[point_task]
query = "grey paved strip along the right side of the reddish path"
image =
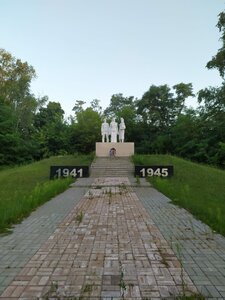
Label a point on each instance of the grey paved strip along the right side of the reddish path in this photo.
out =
(201, 250)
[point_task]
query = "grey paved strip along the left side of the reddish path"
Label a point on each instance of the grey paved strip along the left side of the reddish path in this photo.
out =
(18, 247)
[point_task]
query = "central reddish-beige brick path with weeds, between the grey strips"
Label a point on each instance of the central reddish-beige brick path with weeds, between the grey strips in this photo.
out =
(107, 246)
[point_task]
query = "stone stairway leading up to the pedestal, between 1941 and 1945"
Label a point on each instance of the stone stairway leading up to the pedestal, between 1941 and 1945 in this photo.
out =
(112, 167)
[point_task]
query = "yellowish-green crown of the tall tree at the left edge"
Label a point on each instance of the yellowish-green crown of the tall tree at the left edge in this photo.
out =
(15, 79)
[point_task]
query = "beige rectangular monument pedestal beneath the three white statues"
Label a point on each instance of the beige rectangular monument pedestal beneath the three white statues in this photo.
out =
(122, 149)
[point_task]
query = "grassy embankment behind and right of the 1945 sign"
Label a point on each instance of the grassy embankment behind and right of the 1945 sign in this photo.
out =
(198, 188)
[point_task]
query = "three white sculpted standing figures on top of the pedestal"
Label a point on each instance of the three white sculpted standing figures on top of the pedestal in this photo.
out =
(113, 130)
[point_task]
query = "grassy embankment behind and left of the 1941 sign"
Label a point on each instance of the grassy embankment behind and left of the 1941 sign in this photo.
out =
(24, 188)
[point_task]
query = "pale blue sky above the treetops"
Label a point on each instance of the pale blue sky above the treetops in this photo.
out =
(92, 49)
